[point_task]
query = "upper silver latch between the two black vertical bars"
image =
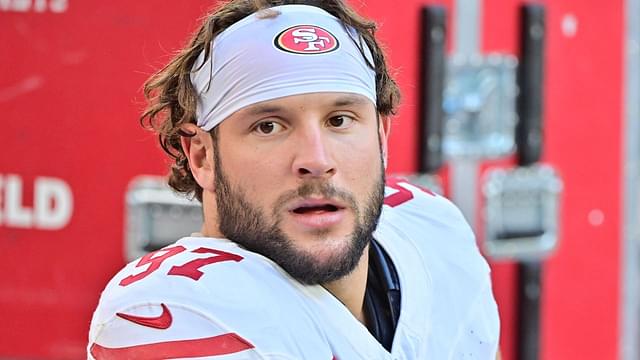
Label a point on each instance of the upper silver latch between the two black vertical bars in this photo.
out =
(479, 106)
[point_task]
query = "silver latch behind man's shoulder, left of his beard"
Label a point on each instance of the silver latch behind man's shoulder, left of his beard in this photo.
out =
(156, 216)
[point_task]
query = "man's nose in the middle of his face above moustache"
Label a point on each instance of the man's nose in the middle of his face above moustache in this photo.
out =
(313, 158)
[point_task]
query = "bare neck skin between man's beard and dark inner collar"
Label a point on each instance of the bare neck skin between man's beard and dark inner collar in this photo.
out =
(351, 288)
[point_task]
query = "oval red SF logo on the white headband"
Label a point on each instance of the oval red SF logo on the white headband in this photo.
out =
(306, 39)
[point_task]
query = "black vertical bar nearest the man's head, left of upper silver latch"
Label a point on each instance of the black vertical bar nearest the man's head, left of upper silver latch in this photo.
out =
(432, 86)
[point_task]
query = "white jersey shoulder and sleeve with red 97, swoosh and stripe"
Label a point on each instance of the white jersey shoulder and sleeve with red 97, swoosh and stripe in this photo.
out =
(204, 300)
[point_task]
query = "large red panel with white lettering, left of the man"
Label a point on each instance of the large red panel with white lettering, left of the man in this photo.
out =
(70, 99)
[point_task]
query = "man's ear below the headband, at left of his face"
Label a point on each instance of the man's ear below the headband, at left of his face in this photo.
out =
(199, 152)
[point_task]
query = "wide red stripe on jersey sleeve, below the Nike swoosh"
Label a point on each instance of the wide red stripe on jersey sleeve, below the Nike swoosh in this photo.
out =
(213, 346)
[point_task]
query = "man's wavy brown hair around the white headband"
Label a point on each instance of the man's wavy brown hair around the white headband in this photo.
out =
(172, 98)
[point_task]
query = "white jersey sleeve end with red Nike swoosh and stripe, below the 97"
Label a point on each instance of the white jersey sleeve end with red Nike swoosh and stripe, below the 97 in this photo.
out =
(166, 331)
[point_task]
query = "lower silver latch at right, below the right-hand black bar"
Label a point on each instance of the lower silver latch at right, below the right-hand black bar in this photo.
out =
(521, 214)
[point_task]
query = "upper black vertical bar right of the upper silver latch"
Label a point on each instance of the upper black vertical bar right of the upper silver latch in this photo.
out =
(530, 81)
